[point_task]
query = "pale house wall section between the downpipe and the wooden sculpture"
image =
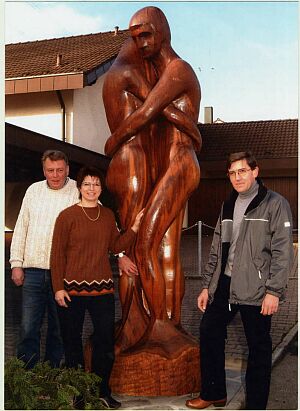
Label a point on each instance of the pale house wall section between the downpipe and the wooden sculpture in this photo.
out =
(90, 128)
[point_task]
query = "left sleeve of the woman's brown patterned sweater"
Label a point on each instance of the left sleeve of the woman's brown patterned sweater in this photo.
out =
(59, 250)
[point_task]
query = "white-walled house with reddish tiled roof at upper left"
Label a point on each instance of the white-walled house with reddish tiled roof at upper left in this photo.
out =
(54, 87)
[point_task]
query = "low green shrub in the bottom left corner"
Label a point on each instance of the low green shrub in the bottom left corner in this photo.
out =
(46, 388)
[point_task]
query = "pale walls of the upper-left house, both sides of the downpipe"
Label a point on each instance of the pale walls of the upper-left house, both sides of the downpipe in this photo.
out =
(86, 124)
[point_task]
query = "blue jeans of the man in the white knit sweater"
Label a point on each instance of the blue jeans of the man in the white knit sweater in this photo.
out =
(37, 296)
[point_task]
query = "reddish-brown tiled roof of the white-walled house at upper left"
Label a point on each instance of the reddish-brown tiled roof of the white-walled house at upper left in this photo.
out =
(79, 54)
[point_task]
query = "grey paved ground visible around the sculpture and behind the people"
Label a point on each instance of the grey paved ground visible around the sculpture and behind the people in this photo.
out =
(236, 348)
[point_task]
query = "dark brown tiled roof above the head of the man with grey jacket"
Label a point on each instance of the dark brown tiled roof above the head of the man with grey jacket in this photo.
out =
(266, 139)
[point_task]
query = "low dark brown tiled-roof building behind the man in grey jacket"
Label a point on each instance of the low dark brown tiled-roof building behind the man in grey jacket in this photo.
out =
(275, 145)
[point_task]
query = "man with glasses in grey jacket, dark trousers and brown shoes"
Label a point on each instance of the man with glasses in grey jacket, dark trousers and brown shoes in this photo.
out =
(249, 262)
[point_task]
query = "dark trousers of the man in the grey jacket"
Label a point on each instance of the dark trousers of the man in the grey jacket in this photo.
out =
(213, 332)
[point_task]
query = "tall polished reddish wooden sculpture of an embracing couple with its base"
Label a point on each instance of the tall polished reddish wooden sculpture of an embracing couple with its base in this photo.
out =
(152, 99)
